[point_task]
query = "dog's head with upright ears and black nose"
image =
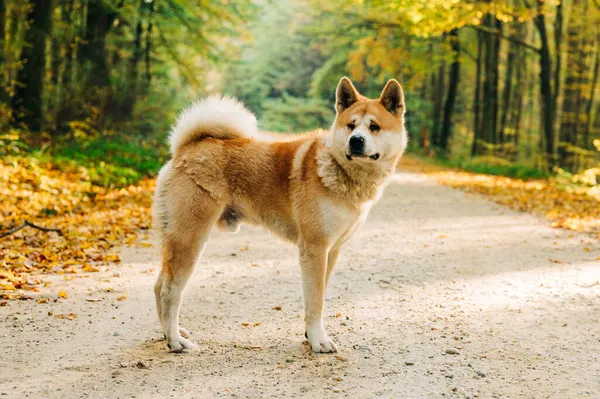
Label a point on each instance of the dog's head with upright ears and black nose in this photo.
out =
(368, 131)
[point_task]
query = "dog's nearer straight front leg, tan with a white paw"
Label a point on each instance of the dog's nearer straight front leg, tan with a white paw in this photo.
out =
(313, 261)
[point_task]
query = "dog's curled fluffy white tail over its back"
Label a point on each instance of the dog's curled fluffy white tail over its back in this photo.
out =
(216, 116)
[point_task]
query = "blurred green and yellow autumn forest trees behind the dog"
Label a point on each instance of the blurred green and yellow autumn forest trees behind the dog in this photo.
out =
(502, 83)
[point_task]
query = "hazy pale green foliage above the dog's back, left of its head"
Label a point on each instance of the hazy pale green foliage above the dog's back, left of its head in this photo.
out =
(273, 76)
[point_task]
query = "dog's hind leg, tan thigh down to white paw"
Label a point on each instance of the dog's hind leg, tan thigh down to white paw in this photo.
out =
(182, 248)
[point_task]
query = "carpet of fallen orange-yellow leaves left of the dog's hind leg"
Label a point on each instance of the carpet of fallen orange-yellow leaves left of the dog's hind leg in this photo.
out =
(93, 221)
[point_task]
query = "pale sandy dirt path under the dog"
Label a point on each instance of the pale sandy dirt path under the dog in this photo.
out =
(433, 270)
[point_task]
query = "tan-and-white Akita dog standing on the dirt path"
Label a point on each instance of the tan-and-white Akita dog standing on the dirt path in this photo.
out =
(314, 190)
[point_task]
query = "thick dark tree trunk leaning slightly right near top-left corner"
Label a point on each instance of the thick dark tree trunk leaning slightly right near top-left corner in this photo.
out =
(27, 101)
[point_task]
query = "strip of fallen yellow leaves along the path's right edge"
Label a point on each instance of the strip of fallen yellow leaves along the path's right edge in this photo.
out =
(578, 211)
